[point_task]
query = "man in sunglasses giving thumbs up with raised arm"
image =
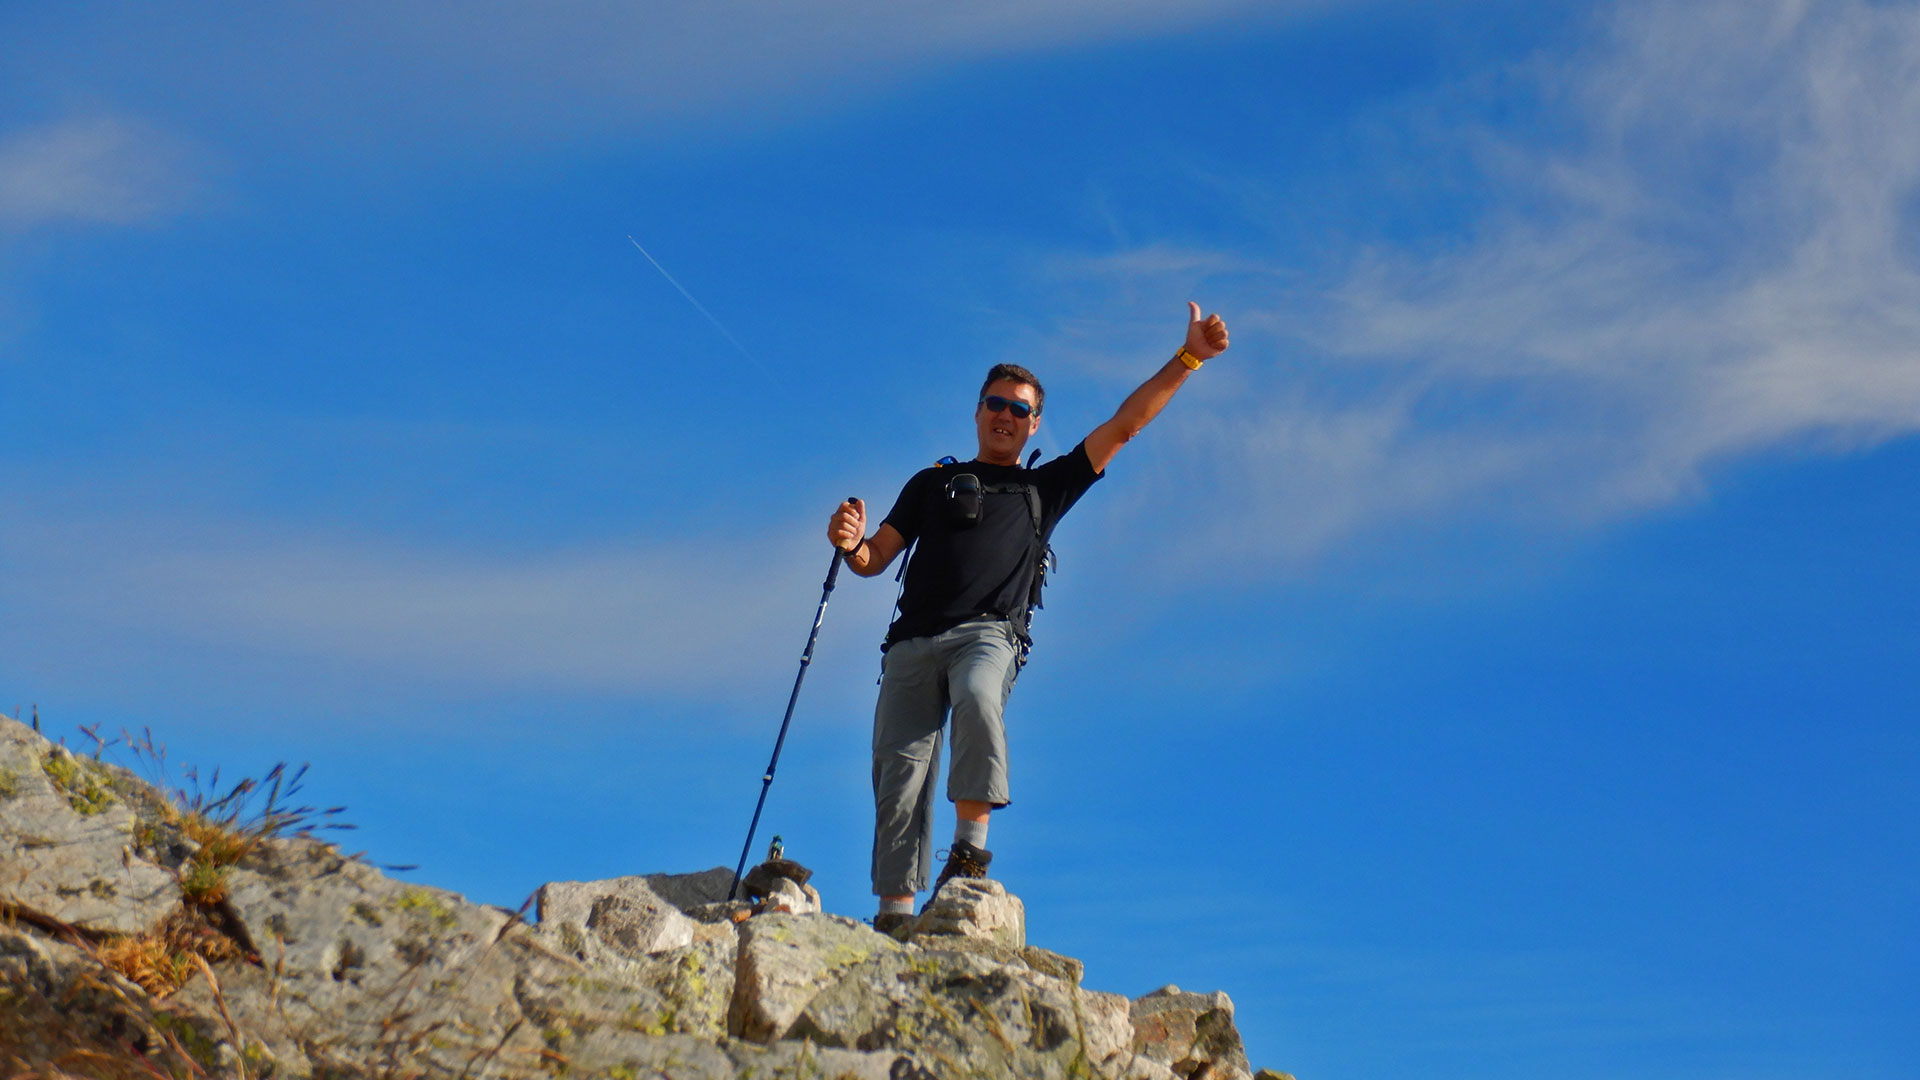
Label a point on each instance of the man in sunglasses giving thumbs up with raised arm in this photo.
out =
(961, 633)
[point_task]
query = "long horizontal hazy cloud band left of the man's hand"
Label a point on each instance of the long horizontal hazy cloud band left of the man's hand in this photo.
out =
(702, 618)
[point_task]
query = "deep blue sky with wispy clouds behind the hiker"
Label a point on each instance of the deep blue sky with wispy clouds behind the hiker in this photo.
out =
(1499, 664)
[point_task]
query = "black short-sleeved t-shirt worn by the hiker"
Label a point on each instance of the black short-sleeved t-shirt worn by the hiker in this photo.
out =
(961, 574)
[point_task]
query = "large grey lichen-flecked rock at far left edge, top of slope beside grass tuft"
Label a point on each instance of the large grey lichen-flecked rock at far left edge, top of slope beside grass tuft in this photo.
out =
(68, 848)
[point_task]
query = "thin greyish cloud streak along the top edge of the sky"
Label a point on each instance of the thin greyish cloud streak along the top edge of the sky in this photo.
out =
(410, 72)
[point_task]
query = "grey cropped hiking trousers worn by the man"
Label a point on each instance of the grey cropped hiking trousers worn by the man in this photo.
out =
(969, 672)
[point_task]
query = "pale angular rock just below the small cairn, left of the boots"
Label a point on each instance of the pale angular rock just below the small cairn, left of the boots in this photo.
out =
(786, 960)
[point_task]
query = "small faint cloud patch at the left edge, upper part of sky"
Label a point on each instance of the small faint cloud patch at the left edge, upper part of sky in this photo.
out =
(99, 170)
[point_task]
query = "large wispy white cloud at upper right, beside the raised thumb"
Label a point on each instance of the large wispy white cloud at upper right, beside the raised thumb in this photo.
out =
(1712, 255)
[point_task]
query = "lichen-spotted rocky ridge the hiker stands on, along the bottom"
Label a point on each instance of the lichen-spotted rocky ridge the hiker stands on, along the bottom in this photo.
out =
(327, 968)
